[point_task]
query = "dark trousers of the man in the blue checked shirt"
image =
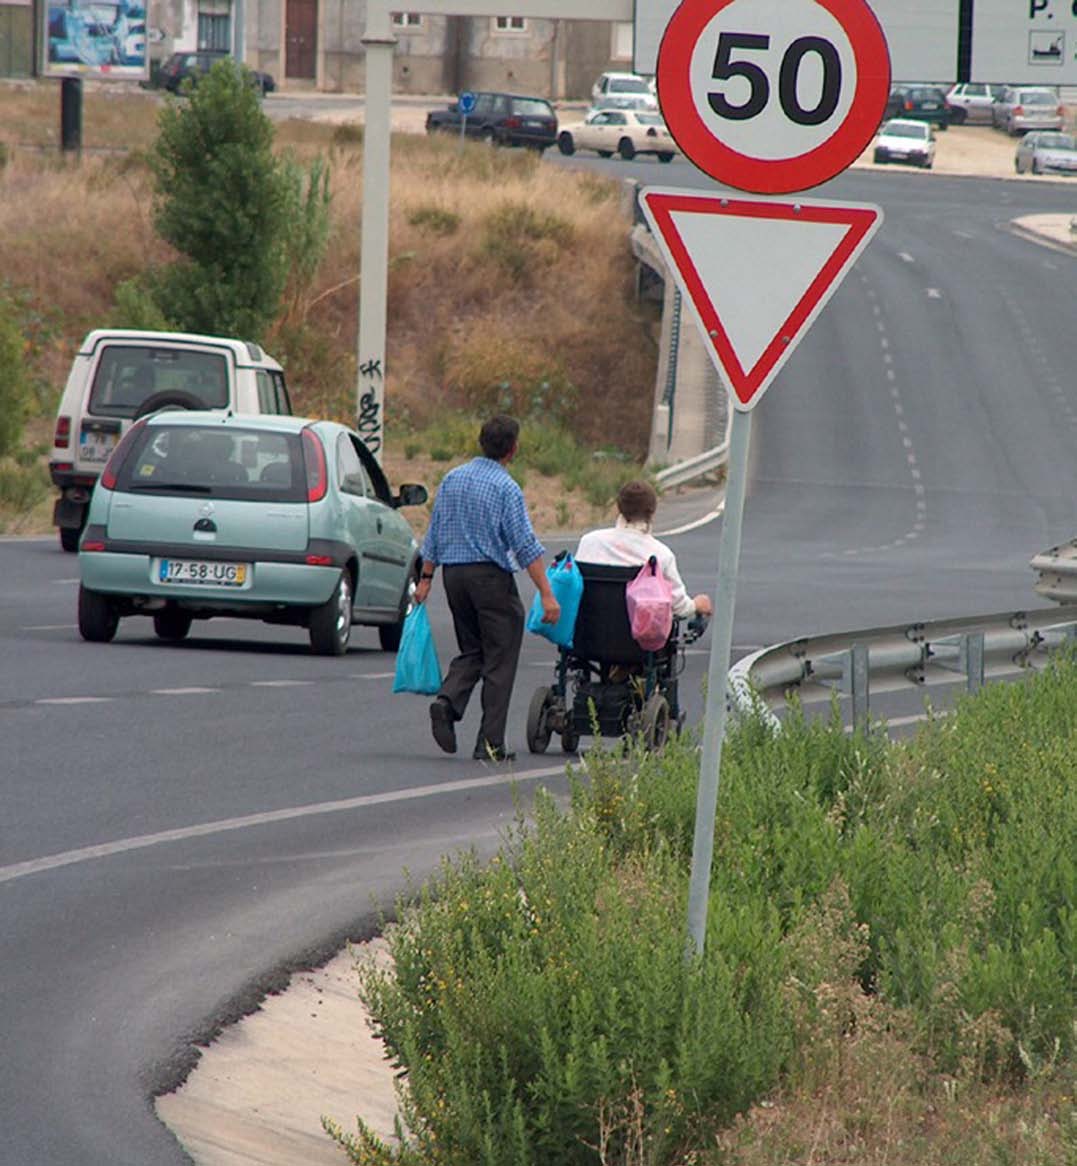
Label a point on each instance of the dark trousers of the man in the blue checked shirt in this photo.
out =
(489, 621)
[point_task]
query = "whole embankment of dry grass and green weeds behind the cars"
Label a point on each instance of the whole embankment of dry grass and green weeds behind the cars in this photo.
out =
(511, 286)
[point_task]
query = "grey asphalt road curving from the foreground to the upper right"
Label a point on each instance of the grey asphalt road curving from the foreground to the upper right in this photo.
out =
(184, 824)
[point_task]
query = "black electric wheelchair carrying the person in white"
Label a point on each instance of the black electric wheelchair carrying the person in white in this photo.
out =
(607, 682)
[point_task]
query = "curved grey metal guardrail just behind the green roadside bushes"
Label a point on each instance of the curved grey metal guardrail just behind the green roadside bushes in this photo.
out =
(857, 664)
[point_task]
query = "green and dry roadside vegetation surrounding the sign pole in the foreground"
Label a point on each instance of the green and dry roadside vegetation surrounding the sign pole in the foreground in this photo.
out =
(889, 974)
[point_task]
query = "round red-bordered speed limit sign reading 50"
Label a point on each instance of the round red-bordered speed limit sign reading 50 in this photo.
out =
(773, 96)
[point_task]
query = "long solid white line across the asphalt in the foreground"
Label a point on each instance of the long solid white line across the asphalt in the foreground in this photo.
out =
(223, 826)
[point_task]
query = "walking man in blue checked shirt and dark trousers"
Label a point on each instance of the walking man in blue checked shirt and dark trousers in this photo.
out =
(481, 535)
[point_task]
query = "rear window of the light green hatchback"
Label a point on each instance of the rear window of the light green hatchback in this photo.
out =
(216, 462)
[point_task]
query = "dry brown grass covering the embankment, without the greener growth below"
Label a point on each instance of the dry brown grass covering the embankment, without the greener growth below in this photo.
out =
(511, 283)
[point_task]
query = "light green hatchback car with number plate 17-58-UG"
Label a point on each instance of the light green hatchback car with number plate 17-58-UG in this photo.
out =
(272, 518)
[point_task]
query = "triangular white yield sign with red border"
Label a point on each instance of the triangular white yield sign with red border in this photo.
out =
(757, 272)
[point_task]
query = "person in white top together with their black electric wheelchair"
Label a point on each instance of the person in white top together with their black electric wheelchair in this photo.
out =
(606, 683)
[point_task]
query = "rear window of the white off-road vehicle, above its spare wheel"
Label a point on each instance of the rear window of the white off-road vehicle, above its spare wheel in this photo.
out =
(129, 375)
